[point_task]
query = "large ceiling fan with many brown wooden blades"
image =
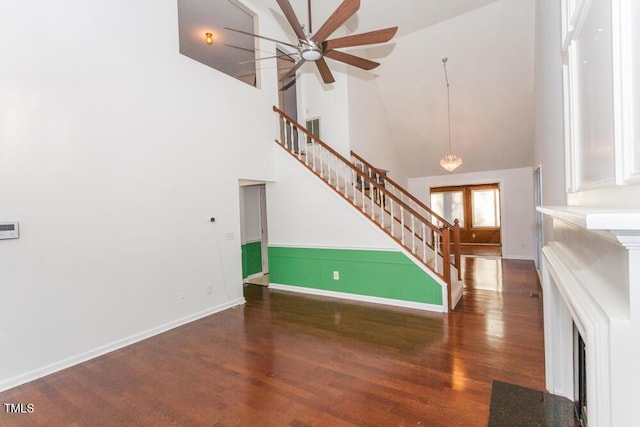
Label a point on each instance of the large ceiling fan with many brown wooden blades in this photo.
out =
(315, 47)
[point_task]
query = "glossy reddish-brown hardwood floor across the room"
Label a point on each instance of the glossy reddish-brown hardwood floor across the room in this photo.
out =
(286, 359)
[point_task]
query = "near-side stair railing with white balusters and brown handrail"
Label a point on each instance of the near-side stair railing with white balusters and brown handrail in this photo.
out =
(427, 242)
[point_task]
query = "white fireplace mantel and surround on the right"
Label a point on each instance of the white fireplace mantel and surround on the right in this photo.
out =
(590, 277)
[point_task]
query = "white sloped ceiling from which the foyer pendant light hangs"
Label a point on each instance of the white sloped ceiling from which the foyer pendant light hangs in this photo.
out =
(490, 69)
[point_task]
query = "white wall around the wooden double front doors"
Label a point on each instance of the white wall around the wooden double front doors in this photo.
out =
(516, 193)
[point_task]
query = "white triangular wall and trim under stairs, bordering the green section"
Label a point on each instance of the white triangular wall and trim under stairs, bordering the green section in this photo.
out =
(305, 212)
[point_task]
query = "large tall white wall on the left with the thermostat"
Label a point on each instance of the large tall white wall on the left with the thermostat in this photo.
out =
(114, 153)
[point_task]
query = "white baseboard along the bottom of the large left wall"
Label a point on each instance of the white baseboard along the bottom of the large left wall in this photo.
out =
(115, 345)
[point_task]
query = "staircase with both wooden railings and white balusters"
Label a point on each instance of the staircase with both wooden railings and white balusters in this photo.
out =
(427, 237)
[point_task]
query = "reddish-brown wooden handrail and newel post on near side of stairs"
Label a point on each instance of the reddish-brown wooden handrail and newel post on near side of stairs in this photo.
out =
(443, 233)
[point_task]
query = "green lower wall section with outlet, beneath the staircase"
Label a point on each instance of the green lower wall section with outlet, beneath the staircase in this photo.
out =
(381, 274)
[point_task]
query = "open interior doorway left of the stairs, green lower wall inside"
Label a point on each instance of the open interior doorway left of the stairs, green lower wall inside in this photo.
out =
(254, 234)
